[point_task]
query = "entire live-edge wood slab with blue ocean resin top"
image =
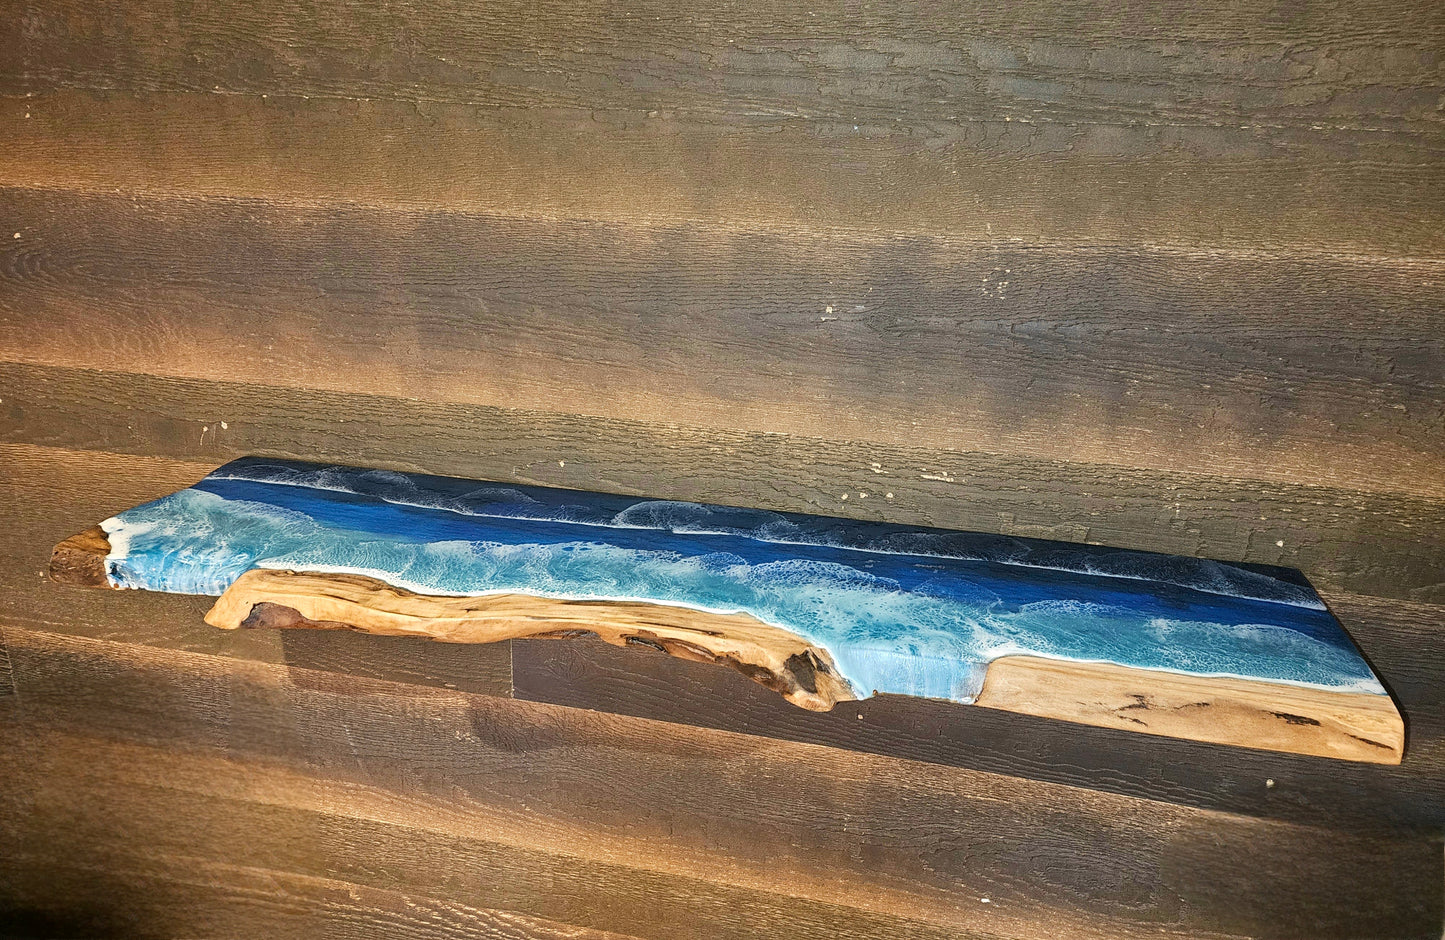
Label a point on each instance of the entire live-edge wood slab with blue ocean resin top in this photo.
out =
(820, 610)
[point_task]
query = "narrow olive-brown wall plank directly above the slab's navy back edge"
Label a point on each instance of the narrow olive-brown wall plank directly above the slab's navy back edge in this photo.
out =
(1388, 545)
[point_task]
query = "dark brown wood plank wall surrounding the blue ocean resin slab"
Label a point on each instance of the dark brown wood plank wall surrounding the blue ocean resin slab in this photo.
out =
(1165, 277)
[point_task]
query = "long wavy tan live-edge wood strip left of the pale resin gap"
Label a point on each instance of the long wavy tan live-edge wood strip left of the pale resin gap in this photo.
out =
(803, 674)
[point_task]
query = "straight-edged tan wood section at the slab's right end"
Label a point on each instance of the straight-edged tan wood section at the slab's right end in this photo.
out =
(1272, 717)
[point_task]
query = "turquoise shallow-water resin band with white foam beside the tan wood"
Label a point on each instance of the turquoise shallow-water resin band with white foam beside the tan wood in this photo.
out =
(882, 637)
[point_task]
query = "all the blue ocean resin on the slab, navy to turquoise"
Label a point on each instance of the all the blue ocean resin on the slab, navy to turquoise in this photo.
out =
(901, 609)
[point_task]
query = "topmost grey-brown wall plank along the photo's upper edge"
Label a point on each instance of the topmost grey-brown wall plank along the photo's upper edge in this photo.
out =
(1369, 66)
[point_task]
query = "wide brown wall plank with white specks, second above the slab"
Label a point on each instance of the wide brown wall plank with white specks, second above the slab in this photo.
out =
(1303, 367)
